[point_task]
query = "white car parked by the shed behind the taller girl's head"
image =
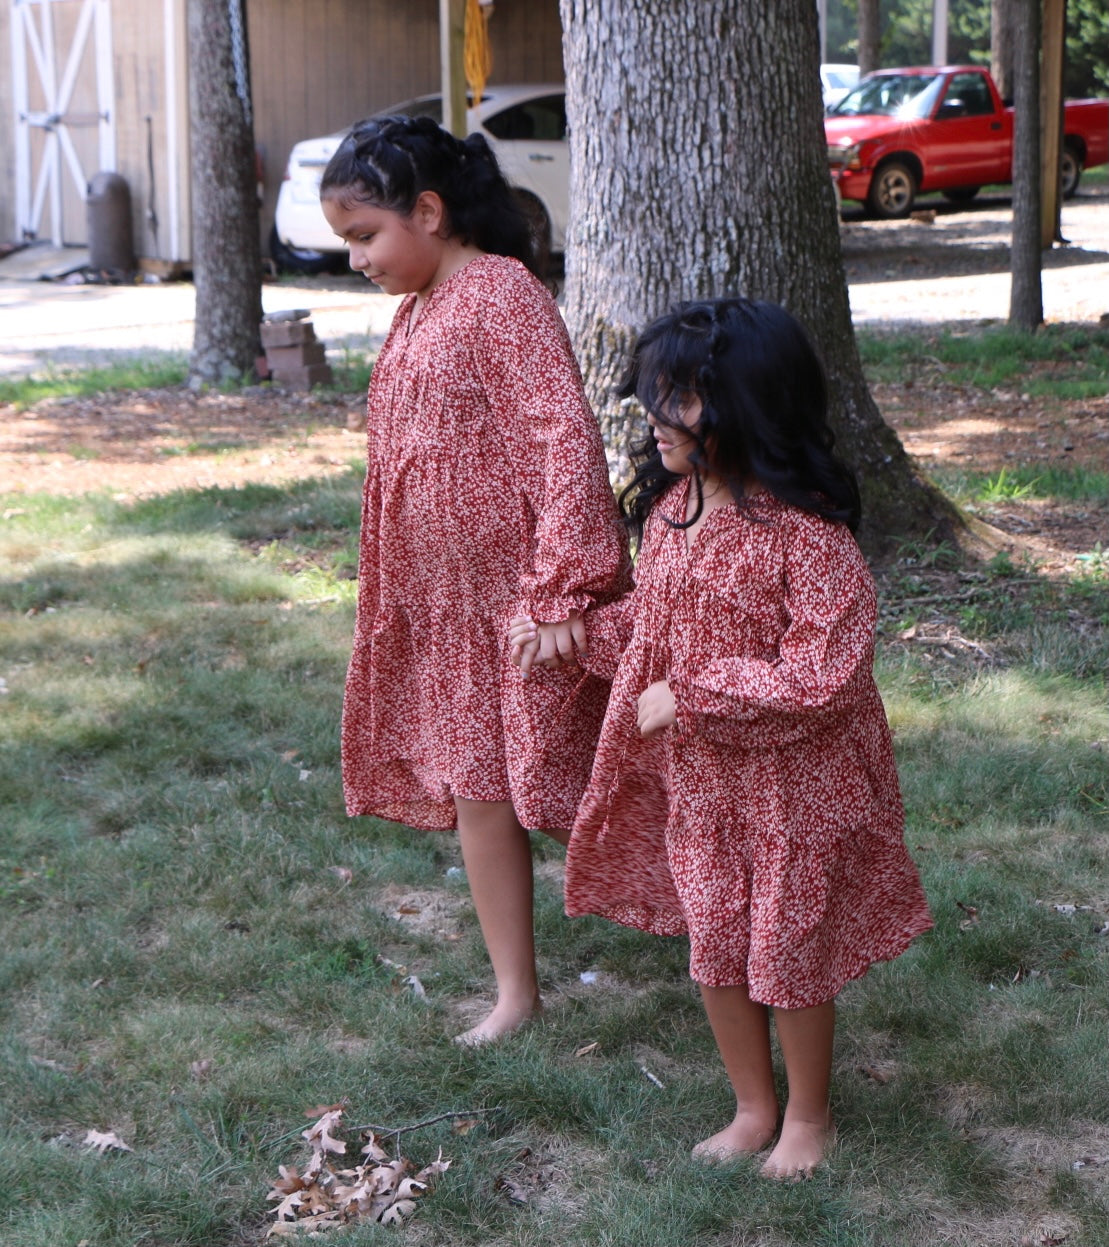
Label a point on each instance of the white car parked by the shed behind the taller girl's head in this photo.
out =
(526, 128)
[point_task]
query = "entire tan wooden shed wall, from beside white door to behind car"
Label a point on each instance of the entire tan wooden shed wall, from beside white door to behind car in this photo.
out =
(316, 67)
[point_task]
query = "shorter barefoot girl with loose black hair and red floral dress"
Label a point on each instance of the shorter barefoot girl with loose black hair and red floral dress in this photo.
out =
(745, 790)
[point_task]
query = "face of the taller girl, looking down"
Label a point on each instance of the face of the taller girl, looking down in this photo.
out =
(400, 254)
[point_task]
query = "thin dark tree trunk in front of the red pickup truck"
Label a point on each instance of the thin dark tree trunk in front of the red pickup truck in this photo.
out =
(1026, 294)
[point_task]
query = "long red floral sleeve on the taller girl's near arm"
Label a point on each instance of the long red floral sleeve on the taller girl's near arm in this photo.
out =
(553, 441)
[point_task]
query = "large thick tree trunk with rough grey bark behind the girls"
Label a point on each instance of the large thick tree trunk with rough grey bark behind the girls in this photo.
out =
(699, 169)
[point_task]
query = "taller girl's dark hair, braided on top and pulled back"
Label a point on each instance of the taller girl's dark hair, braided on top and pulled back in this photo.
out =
(390, 161)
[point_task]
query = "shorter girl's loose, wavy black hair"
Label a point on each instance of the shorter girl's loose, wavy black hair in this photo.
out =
(764, 408)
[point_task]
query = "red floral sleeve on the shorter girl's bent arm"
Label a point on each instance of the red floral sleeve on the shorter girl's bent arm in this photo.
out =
(825, 659)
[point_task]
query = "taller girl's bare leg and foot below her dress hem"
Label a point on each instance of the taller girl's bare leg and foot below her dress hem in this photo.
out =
(497, 855)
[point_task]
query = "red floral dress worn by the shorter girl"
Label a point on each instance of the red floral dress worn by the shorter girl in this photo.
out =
(768, 824)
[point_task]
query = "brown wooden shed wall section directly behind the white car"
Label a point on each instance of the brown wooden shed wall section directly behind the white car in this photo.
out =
(320, 65)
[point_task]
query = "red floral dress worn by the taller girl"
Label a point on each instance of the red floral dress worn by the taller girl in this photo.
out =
(487, 496)
